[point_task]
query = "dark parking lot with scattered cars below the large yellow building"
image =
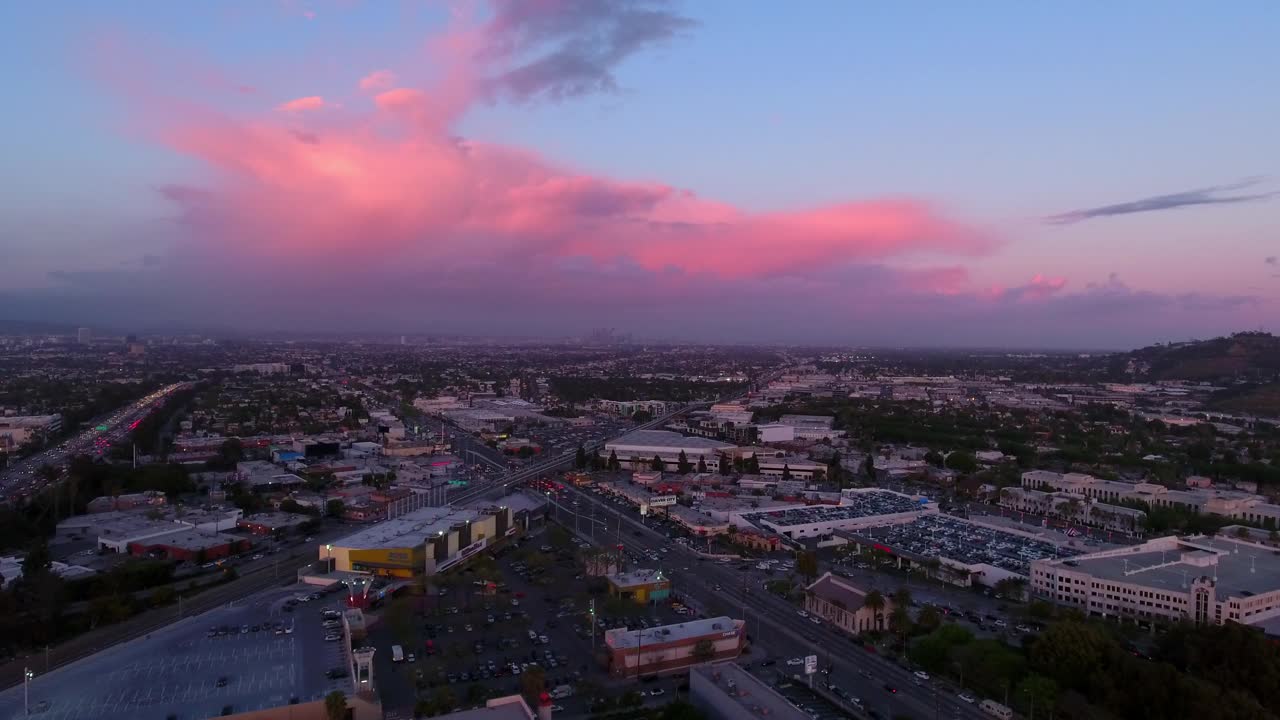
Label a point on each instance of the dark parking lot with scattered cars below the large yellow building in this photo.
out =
(484, 630)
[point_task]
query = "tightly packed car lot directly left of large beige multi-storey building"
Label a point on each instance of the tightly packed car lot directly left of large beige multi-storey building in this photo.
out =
(934, 536)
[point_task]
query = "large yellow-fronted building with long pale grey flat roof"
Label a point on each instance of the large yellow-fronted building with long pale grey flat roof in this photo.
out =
(424, 541)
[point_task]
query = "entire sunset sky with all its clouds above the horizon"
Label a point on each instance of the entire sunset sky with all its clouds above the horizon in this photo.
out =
(1018, 175)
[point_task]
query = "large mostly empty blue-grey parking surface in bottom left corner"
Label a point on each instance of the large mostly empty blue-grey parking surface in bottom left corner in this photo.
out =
(250, 657)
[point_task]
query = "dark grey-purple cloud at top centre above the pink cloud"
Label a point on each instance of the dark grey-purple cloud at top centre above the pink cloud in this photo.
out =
(572, 48)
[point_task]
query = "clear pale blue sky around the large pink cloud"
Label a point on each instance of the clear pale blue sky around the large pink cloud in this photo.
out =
(1000, 113)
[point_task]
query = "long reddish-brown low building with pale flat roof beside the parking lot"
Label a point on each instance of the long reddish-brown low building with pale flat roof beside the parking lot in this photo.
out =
(668, 649)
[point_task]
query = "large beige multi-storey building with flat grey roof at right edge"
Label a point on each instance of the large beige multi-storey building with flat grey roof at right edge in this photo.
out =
(1208, 581)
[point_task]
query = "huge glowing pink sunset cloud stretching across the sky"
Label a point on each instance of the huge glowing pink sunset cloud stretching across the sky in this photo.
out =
(395, 183)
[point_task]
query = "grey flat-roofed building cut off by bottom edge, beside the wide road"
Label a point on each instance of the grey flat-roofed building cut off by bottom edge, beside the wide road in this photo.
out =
(725, 691)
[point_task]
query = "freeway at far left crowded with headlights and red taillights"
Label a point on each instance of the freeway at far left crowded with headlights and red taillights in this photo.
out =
(24, 480)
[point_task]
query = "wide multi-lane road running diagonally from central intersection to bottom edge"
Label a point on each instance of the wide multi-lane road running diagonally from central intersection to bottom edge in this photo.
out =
(776, 625)
